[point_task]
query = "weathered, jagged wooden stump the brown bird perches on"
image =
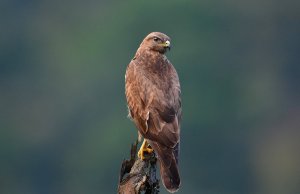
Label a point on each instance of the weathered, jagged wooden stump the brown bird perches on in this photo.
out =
(138, 175)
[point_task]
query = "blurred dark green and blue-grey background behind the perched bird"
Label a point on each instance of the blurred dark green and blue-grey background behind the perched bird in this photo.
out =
(63, 125)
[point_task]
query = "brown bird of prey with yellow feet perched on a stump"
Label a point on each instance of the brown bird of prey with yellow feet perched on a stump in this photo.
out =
(154, 104)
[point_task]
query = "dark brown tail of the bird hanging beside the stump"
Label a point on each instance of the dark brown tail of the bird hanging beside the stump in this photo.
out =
(168, 158)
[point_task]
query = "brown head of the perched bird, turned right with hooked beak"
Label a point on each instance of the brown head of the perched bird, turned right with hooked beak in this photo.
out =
(157, 41)
